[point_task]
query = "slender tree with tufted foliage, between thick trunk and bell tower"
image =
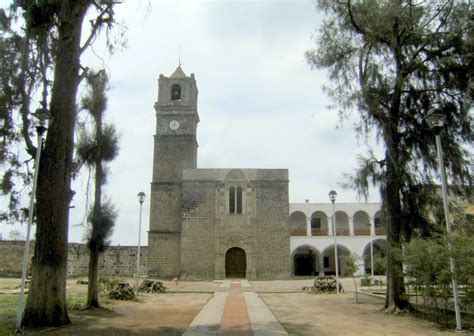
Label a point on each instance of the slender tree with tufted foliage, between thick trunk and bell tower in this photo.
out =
(95, 149)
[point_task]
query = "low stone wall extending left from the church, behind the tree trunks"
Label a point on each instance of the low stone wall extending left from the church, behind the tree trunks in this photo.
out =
(117, 260)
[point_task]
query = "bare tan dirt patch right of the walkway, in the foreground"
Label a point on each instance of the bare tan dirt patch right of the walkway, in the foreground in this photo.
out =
(328, 315)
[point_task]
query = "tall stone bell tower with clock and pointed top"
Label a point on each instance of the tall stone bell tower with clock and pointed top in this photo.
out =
(175, 149)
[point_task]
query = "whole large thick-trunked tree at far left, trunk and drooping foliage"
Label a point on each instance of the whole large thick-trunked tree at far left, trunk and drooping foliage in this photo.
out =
(47, 43)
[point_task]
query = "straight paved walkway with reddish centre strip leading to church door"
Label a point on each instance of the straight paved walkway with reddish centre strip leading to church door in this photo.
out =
(239, 311)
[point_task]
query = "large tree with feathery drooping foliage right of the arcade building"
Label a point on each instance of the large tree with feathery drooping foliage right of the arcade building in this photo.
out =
(394, 62)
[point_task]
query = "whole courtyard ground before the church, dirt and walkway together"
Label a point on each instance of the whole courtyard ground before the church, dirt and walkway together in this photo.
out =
(295, 311)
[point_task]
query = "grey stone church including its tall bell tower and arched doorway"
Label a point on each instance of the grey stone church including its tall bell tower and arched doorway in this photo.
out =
(210, 223)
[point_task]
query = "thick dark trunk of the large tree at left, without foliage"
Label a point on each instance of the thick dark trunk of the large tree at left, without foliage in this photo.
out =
(46, 303)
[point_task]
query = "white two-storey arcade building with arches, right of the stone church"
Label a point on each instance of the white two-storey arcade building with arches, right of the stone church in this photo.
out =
(359, 228)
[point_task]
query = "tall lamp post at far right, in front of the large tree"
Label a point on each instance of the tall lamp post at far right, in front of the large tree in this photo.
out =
(435, 121)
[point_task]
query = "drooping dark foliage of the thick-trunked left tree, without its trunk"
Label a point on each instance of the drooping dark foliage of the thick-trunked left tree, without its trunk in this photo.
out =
(29, 33)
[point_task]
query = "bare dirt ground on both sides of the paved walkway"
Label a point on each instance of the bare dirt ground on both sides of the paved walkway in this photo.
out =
(299, 313)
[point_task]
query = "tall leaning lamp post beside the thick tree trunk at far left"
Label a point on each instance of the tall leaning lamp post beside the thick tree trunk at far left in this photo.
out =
(40, 130)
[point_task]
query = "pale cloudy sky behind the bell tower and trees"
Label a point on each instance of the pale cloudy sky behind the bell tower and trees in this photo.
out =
(260, 103)
